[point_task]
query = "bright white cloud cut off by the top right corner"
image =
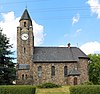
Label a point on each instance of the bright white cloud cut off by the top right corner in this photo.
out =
(95, 7)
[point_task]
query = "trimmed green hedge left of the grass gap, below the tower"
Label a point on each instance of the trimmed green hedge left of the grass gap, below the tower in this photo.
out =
(17, 90)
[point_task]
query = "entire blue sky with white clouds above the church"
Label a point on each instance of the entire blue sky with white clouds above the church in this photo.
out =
(55, 22)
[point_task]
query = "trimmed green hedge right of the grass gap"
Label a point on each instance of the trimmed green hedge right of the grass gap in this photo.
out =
(85, 89)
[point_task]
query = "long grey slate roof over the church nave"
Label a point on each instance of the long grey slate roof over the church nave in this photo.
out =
(58, 54)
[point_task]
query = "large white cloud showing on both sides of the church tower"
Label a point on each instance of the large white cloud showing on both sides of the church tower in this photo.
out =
(10, 23)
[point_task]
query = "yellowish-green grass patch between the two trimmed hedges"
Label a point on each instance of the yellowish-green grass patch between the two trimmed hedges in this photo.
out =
(61, 90)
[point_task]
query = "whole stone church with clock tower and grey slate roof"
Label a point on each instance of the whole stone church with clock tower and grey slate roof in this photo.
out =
(36, 65)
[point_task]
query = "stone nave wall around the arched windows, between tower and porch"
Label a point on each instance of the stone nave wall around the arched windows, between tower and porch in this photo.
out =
(46, 73)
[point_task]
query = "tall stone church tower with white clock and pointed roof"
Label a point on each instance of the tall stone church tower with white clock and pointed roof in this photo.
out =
(25, 48)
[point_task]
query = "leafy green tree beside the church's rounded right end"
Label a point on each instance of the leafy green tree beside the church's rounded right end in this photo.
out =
(94, 68)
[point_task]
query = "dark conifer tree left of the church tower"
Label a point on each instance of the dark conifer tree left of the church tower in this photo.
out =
(7, 70)
